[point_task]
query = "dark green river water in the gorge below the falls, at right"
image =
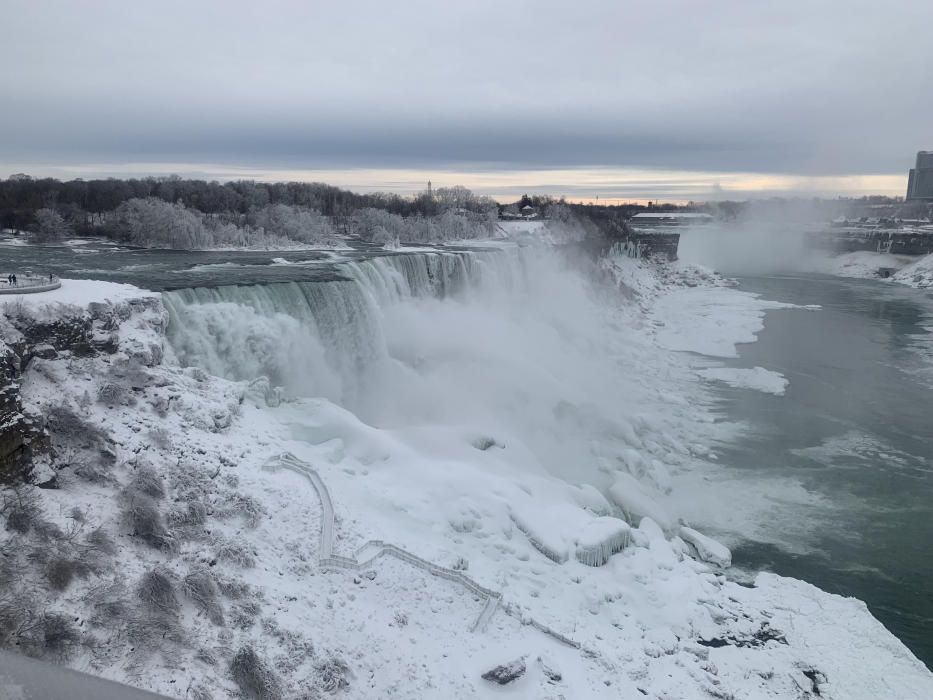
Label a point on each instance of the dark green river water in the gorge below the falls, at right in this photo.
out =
(854, 426)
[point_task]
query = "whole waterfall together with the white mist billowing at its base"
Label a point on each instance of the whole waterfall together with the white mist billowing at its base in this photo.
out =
(509, 343)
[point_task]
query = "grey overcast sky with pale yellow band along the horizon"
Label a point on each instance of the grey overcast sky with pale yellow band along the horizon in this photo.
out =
(671, 99)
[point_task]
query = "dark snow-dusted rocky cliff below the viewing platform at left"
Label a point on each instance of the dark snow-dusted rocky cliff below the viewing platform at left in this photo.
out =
(66, 332)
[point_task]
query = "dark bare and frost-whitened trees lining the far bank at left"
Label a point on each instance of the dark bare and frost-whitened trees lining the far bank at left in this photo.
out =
(182, 213)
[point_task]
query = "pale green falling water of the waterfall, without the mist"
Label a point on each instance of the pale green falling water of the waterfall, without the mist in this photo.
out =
(320, 338)
